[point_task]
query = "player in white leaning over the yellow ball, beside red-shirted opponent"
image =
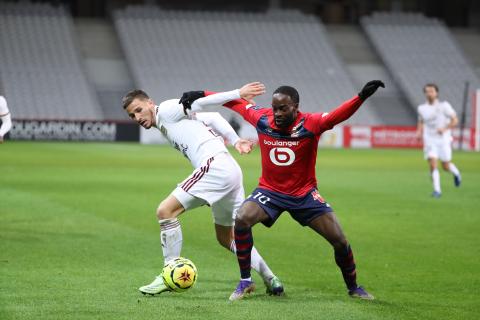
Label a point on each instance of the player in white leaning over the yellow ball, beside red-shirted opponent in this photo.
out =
(217, 178)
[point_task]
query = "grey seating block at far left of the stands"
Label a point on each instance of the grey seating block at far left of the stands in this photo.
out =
(40, 67)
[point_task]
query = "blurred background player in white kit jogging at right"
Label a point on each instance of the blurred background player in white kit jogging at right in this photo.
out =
(435, 120)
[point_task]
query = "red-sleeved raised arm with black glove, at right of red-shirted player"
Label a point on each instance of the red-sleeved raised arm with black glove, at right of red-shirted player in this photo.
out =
(344, 111)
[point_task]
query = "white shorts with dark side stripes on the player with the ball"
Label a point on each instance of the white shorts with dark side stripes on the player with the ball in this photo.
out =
(217, 183)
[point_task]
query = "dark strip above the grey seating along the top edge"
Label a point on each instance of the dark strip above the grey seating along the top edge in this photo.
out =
(462, 13)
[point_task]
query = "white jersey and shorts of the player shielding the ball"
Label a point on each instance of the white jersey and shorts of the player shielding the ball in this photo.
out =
(217, 178)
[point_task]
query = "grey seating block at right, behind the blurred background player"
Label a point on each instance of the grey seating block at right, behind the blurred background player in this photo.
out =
(418, 50)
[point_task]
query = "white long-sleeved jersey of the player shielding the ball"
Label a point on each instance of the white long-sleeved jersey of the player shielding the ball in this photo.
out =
(194, 134)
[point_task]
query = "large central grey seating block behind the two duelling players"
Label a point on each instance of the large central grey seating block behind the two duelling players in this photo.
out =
(172, 51)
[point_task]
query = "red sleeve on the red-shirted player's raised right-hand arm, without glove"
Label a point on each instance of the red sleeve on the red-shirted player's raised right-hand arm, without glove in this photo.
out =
(320, 122)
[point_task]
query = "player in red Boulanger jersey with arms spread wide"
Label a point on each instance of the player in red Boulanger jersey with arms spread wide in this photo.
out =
(288, 140)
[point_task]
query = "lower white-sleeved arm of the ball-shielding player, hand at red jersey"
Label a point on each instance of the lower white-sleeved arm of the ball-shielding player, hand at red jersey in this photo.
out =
(221, 126)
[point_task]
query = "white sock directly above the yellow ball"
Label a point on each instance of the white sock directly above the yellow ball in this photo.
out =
(171, 238)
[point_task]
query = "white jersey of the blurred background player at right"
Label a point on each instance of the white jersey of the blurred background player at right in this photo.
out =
(436, 116)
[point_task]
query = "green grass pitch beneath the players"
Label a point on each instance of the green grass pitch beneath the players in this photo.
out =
(78, 236)
